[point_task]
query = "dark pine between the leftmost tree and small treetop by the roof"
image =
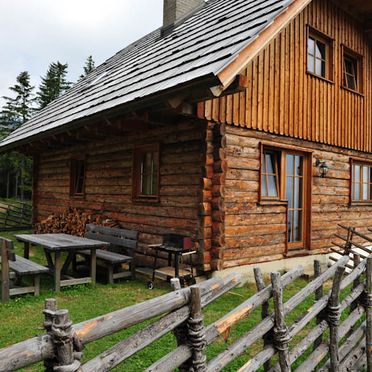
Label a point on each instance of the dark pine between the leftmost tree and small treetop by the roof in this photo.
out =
(54, 84)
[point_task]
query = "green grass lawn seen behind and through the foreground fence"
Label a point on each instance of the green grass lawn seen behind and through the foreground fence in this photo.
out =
(22, 318)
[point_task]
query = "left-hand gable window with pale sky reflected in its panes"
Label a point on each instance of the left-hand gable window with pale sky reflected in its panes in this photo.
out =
(319, 54)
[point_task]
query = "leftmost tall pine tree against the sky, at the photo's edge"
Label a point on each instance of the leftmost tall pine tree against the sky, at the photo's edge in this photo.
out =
(17, 110)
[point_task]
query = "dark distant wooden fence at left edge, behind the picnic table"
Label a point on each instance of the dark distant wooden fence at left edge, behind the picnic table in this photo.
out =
(15, 216)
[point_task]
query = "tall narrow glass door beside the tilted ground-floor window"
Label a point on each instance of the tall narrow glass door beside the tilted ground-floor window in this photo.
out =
(294, 190)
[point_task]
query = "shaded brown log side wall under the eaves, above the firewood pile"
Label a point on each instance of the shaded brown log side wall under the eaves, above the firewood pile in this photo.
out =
(109, 181)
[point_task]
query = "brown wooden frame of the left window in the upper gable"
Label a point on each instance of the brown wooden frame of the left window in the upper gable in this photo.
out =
(328, 41)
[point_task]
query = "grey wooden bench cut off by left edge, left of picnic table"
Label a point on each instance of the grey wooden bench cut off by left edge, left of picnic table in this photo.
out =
(13, 266)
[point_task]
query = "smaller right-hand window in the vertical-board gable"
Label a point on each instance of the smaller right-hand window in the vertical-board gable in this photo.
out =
(352, 71)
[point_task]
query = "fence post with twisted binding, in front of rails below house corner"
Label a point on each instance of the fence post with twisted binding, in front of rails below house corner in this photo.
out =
(196, 332)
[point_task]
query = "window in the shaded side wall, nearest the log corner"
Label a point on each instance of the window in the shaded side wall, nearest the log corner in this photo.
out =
(146, 173)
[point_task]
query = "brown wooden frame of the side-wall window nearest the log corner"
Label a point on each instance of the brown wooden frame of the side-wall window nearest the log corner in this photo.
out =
(138, 152)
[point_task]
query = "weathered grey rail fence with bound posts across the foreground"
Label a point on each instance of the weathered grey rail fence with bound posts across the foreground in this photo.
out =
(329, 344)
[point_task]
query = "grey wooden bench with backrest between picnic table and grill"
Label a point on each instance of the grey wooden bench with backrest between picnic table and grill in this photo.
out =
(112, 261)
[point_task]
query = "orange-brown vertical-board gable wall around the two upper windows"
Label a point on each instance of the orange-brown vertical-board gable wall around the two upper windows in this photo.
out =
(282, 98)
